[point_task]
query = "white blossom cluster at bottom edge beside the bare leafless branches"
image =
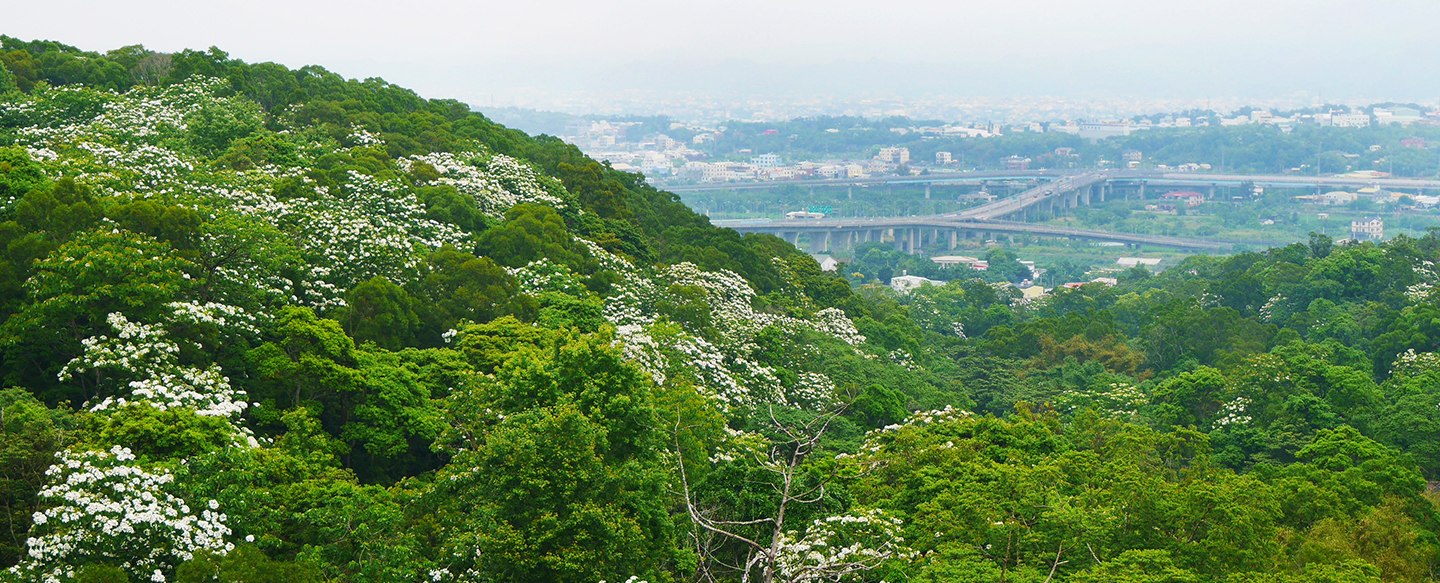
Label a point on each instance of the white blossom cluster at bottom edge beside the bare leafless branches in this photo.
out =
(840, 546)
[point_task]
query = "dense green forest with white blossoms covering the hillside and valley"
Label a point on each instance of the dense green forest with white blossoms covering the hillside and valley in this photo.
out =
(261, 325)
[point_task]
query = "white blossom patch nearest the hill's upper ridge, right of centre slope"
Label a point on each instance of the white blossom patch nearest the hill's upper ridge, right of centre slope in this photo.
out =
(496, 182)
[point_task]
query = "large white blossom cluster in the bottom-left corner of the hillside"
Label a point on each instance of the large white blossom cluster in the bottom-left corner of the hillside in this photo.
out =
(103, 507)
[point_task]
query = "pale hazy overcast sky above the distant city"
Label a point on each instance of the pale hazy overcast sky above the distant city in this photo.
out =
(483, 51)
